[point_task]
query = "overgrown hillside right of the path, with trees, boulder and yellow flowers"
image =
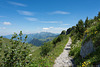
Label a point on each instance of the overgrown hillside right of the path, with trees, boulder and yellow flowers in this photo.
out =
(85, 46)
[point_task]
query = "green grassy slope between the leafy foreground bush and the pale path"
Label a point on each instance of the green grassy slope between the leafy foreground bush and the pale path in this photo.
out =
(51, 56)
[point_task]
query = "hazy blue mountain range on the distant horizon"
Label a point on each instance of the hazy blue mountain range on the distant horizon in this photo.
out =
(37, 38)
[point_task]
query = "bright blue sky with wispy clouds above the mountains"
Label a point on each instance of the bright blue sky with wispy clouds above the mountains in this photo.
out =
(34, 16)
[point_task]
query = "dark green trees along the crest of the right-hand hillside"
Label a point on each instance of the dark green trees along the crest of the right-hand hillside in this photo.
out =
(81, 27)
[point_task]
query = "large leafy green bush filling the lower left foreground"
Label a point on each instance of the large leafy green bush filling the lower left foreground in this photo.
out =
(15, 53)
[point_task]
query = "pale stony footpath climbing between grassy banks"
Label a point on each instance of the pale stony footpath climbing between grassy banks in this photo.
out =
(64, 60)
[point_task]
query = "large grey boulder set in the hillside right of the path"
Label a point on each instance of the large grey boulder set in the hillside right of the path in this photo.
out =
(86, 48)
